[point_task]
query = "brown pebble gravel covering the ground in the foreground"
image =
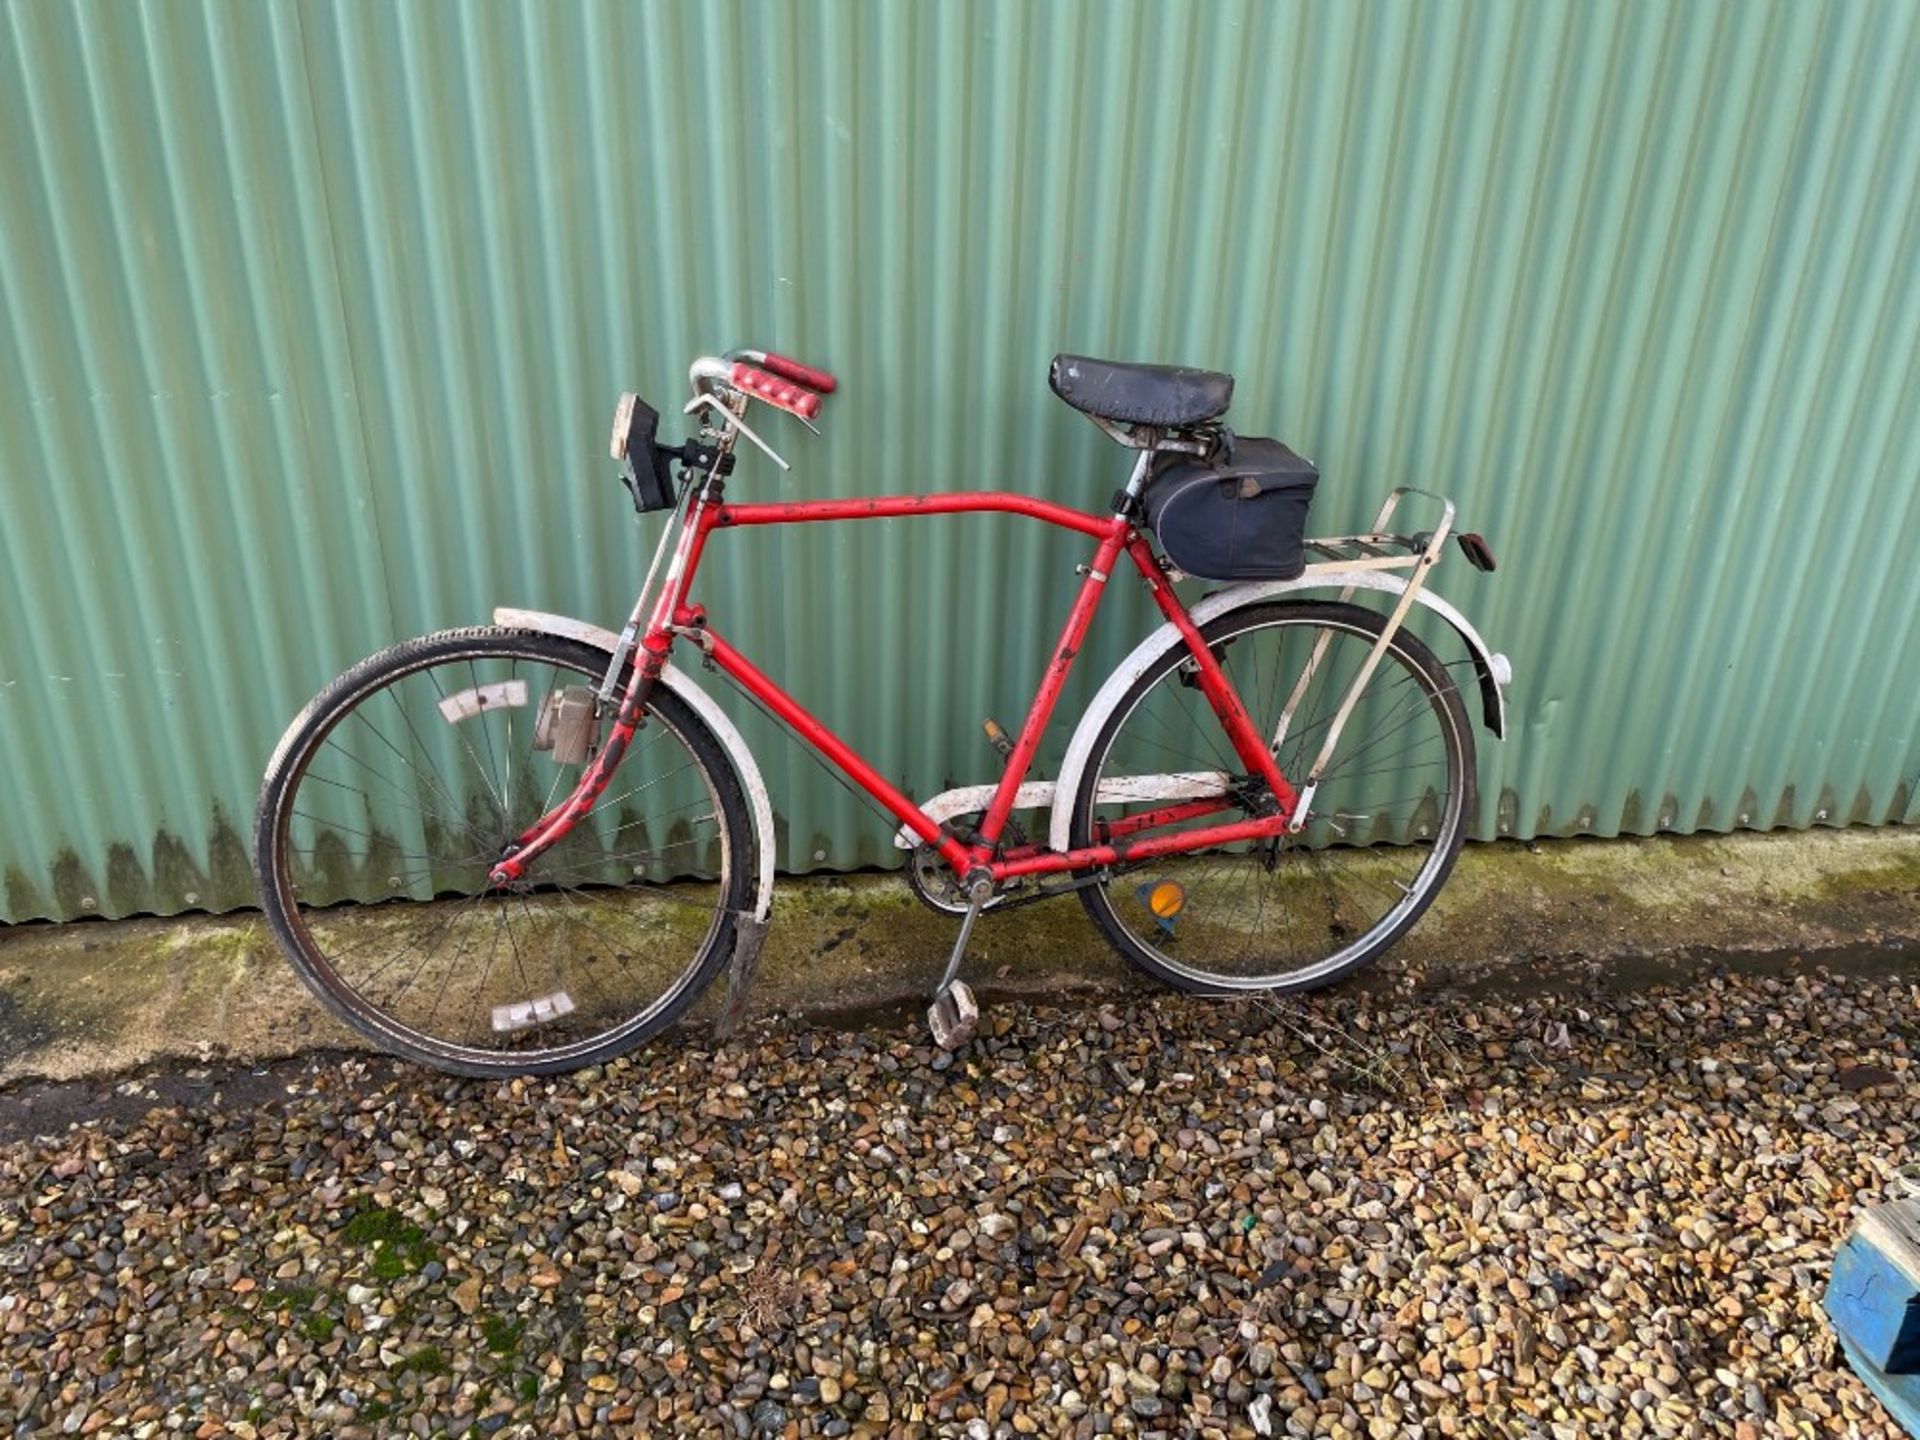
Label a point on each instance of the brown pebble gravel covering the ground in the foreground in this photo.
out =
(1353, 1216)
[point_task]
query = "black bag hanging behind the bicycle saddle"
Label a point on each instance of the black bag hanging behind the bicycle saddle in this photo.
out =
(1236, 519)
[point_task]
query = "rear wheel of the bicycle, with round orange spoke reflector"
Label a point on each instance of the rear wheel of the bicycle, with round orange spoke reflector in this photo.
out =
(1381, 836)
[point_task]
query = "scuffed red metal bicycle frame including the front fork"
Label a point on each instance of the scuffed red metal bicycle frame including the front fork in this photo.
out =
(673, 617)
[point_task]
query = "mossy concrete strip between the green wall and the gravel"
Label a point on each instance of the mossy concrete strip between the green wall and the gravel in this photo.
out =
(99, 997)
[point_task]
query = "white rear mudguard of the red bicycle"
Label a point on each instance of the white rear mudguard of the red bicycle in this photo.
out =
(1495, 669)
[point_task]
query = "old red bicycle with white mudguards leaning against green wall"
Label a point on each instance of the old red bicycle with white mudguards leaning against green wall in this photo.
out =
(441, 859)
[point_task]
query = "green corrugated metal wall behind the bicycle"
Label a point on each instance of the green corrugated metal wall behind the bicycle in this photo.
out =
(314, 318)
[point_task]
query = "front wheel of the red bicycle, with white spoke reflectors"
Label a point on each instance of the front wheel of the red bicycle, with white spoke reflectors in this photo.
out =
(395, 794)
